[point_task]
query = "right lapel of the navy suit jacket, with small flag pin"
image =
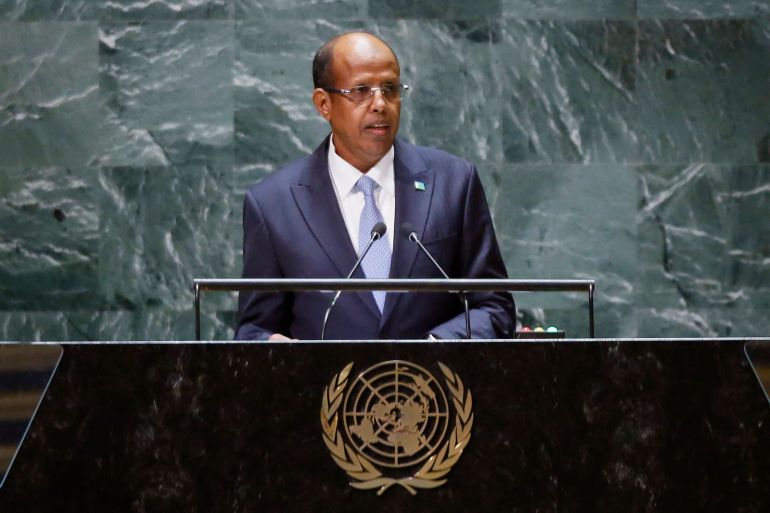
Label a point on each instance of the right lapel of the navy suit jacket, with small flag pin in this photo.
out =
(412, 206)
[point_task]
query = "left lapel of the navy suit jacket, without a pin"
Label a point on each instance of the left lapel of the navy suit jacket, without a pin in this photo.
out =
(317, 202)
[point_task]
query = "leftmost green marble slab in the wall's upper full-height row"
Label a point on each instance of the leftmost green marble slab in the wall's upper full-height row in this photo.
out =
(49, 87)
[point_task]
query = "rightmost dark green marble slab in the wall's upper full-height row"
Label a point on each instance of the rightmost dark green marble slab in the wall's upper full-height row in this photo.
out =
(702, 91)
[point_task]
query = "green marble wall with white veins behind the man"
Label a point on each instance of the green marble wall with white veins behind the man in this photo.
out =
(622, 140)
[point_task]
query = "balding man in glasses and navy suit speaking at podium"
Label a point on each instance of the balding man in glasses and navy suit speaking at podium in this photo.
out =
(313, 218)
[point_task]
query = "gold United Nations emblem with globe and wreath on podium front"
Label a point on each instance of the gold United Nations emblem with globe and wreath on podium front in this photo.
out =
(393, 425)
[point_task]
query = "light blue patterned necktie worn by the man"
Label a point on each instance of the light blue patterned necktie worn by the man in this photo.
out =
(376, 264)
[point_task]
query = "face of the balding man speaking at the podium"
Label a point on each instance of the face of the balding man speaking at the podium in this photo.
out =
(363, 132)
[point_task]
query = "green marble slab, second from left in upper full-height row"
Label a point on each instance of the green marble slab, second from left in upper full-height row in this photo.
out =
(167, 93)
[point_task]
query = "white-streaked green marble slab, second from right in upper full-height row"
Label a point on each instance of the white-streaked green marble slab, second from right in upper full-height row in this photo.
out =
(568, 91)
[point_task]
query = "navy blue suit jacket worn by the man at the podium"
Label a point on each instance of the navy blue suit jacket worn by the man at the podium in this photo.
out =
(293, 228)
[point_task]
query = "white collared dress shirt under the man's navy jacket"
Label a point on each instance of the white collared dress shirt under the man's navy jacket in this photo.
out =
(351, 200)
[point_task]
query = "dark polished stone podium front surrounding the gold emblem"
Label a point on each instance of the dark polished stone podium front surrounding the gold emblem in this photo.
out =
(566, 426)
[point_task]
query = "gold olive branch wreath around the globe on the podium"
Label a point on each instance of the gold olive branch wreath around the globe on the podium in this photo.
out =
(364, 474)
